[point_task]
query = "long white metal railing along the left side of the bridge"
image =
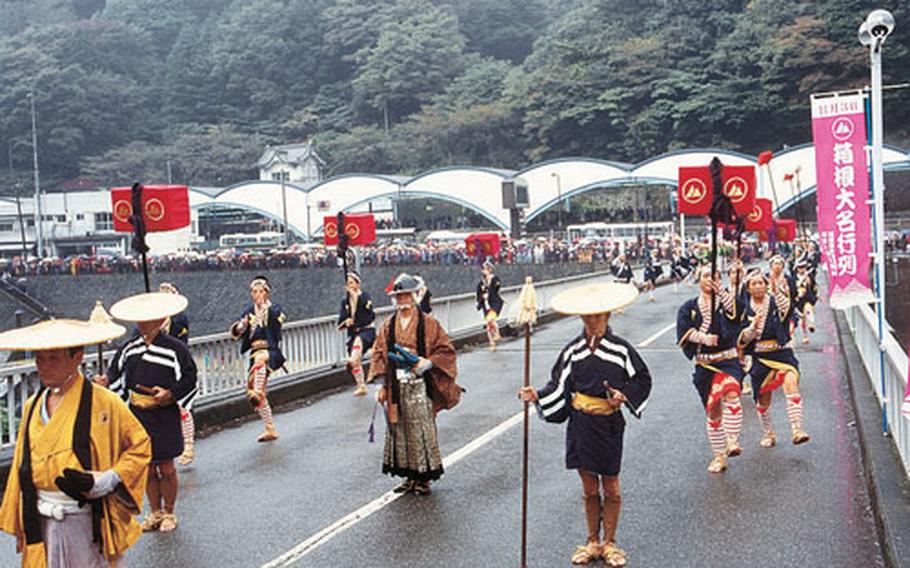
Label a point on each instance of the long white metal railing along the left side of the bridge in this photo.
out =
(309, 345)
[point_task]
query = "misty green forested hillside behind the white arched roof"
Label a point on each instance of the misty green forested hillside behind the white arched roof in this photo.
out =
(124, 86)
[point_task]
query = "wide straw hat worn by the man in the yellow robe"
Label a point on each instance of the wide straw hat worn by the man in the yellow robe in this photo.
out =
(59, 334)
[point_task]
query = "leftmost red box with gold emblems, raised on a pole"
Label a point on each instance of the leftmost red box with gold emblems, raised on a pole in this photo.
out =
(164, 207)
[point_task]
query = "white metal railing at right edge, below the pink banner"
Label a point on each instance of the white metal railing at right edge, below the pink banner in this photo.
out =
(864, 327)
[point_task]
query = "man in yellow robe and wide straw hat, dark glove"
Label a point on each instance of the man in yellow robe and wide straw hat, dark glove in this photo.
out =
(80, 464)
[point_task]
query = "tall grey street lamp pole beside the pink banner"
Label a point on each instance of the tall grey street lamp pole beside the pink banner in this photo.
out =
(872, 33)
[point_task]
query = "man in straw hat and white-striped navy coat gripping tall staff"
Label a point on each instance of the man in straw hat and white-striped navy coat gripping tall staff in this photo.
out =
(594, 375)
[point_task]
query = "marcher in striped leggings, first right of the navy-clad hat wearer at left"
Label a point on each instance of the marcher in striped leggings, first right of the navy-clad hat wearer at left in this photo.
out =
(259, 332)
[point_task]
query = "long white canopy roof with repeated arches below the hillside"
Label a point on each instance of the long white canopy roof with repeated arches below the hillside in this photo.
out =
(479, 189)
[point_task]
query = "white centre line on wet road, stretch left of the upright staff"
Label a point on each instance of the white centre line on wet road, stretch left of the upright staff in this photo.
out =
(346, 522)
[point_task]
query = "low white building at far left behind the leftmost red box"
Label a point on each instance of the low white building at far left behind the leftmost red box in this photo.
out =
(75, 222)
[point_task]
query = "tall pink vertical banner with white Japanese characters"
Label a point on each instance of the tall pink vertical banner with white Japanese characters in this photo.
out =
(842, 192)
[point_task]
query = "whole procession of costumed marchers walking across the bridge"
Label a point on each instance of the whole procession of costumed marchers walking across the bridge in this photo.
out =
(81, 507)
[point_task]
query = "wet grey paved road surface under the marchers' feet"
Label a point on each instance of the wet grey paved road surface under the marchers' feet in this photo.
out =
(245, 504)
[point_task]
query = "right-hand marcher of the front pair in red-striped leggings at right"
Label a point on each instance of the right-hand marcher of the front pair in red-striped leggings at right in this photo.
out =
(767, 340)
